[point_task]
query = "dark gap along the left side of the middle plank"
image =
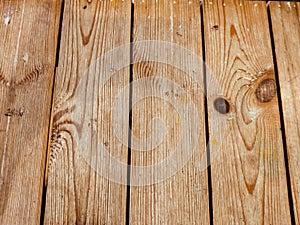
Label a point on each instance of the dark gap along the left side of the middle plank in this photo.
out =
(130, 118)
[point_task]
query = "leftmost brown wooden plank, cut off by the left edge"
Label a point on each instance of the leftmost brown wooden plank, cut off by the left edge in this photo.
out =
(28, 34)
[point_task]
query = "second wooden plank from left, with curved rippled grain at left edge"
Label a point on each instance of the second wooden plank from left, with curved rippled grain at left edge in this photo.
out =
(80, 189)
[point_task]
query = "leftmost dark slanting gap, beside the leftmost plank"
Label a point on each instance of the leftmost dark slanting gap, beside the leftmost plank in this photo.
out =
(44, 194)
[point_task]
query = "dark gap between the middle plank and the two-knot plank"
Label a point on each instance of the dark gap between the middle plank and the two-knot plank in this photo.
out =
(209, 181)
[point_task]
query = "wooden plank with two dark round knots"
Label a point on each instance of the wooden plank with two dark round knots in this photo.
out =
(248, 173)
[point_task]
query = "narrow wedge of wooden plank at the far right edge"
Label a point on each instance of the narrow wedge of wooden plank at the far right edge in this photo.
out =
(286, 28)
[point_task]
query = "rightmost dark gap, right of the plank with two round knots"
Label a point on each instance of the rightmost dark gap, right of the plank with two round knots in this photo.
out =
(282, 125)
